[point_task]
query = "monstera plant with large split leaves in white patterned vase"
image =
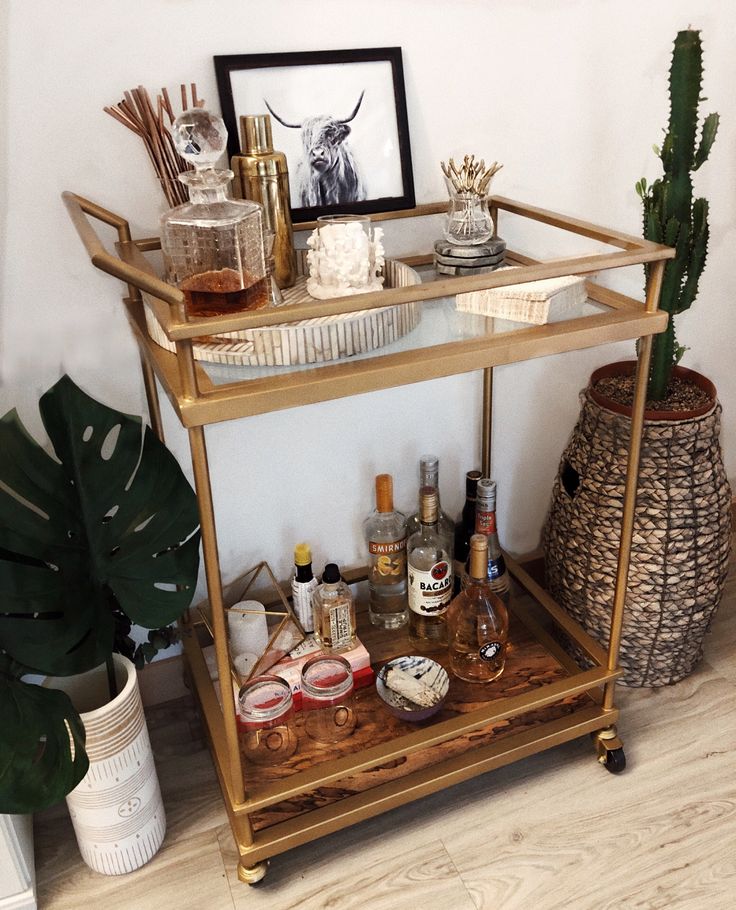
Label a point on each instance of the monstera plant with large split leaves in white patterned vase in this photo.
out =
(99, 537)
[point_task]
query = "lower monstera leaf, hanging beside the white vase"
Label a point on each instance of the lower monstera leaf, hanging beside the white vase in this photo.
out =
(42, 753)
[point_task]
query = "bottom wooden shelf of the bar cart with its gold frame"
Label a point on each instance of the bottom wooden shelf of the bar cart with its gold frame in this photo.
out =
(540, 701)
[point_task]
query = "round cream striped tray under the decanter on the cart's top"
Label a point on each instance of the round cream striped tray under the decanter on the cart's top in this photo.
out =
(311, 340)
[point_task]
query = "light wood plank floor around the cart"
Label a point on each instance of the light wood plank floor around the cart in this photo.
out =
(553, 832)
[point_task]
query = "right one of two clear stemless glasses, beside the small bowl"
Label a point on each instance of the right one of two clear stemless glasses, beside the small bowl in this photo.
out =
(327, 698)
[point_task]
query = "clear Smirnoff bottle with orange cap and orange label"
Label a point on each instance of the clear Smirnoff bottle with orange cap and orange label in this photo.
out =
(385, 536)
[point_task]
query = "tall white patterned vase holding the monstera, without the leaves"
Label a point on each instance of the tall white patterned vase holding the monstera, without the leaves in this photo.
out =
(116, 810)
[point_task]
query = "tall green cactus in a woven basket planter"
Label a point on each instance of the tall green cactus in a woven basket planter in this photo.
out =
(682, 524)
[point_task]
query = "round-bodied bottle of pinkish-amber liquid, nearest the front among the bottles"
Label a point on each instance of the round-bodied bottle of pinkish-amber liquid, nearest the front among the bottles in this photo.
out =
(477, 622)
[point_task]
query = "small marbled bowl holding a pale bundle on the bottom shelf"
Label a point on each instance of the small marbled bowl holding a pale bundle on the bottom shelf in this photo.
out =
(413, 688)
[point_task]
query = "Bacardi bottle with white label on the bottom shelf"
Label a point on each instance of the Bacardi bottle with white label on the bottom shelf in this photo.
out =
(430, 579)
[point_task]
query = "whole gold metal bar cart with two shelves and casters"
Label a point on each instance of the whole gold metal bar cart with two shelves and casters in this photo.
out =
(546, 698)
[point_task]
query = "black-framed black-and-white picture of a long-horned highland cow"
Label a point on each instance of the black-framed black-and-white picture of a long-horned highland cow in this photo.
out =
(339, 117)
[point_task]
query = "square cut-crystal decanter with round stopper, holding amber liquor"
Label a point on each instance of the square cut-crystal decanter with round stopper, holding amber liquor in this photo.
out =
(213, 245)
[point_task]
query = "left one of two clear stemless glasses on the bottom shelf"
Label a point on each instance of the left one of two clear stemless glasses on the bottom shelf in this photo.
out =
(266, 713)
